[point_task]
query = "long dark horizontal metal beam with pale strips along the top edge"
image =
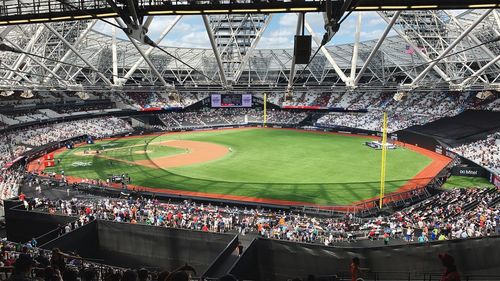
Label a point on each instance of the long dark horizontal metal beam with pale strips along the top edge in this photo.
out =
(36, 12)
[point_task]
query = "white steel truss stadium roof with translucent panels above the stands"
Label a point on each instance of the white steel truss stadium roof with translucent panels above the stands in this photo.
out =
(423, 50)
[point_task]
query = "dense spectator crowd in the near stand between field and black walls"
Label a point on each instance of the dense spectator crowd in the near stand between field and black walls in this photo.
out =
(455, 214)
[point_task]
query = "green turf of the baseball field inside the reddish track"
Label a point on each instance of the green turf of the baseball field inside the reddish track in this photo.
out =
(291, 165)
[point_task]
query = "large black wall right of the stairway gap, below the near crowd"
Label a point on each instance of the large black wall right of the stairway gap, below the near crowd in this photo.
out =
(268, 259)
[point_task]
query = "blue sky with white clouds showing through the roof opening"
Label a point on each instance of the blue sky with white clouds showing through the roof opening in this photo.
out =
(190, 30)
